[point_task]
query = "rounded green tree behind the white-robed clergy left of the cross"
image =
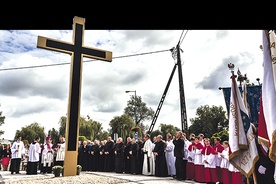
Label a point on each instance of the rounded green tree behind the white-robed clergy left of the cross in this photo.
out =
(30, 132)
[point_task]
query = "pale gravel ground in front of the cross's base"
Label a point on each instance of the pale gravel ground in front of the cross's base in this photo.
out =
(82, 178)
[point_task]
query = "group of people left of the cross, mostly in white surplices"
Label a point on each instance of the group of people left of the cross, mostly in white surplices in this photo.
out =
(32, 157)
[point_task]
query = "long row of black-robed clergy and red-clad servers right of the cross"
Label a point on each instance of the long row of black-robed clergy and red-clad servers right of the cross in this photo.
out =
(176, 156)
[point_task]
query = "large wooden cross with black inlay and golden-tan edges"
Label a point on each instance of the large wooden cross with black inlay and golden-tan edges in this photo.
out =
(77, 51)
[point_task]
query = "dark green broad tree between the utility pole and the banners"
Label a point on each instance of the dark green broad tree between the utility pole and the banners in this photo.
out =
(209, 120)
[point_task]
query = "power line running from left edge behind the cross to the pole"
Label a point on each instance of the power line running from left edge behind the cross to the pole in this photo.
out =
(38, 66)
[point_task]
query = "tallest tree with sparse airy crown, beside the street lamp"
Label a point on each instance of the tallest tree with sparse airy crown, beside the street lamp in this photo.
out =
(138, 110)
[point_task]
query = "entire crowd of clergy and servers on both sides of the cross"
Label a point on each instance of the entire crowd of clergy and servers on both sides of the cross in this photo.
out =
(176, 156)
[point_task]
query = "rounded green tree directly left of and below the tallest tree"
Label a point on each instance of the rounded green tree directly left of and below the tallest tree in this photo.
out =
(122, 126)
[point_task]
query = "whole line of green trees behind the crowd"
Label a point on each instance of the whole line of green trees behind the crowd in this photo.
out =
(212, 121)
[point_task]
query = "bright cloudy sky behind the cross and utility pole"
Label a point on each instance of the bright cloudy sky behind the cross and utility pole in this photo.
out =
(34, 82)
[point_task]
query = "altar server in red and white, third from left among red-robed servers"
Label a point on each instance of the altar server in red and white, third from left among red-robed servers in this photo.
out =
(209, 167)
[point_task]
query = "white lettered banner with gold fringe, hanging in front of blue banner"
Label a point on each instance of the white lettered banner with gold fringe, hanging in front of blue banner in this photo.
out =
(242, 141)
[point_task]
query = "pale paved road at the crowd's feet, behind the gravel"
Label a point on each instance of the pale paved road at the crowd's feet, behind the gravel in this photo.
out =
(132, 179)
